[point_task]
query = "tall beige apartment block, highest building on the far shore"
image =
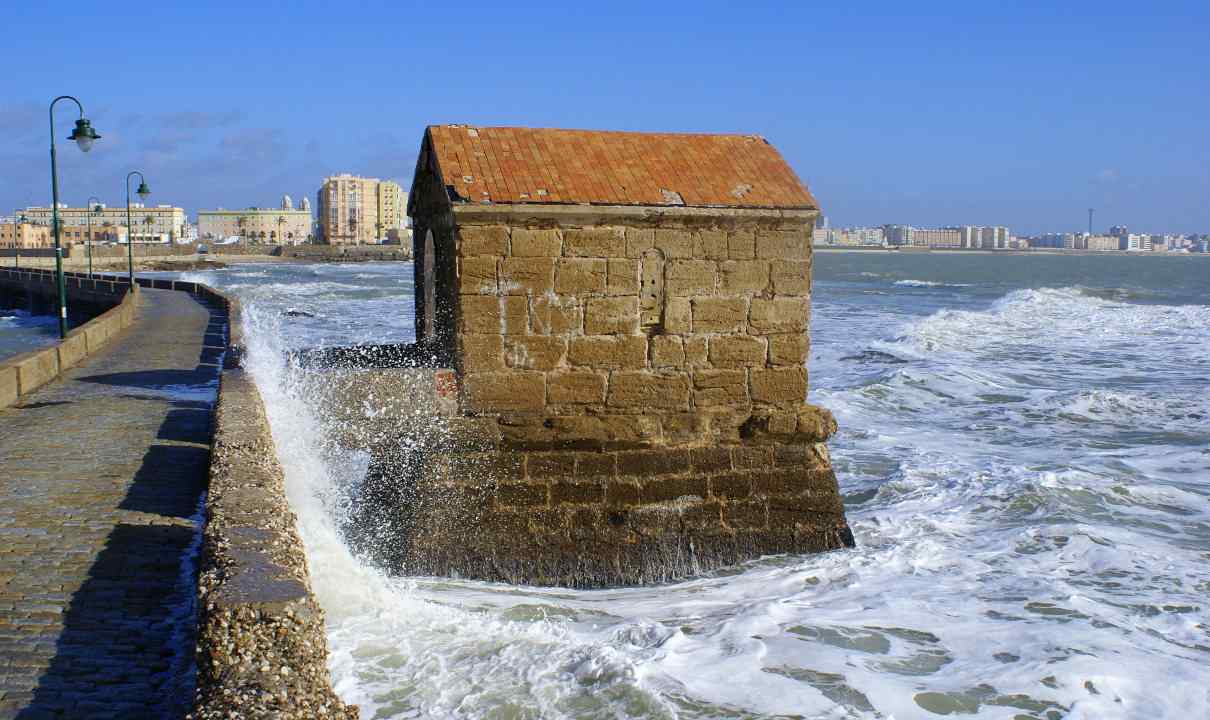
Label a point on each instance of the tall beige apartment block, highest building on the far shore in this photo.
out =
(359, 211)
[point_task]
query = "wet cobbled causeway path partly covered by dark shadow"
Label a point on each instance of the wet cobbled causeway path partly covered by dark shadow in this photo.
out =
(102, 476)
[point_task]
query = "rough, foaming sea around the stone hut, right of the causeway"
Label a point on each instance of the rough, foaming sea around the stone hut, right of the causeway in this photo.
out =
(1025, 459)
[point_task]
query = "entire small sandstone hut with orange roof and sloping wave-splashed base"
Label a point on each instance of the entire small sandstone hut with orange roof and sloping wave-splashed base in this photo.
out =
(627, 321)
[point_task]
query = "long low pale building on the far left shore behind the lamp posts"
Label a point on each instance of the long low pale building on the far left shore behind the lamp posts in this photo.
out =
(163, 223)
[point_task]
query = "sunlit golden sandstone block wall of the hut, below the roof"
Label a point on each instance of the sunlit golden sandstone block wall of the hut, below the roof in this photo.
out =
(699, 330)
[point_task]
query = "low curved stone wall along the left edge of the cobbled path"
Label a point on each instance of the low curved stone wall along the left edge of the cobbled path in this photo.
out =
(111, 306)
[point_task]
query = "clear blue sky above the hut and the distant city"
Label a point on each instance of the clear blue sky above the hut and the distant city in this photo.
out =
(1019, 114)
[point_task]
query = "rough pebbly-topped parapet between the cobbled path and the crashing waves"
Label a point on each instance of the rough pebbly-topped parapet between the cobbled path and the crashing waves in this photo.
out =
(262, 649)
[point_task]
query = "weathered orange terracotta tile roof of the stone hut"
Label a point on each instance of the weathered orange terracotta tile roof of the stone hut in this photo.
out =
(520, 165)
